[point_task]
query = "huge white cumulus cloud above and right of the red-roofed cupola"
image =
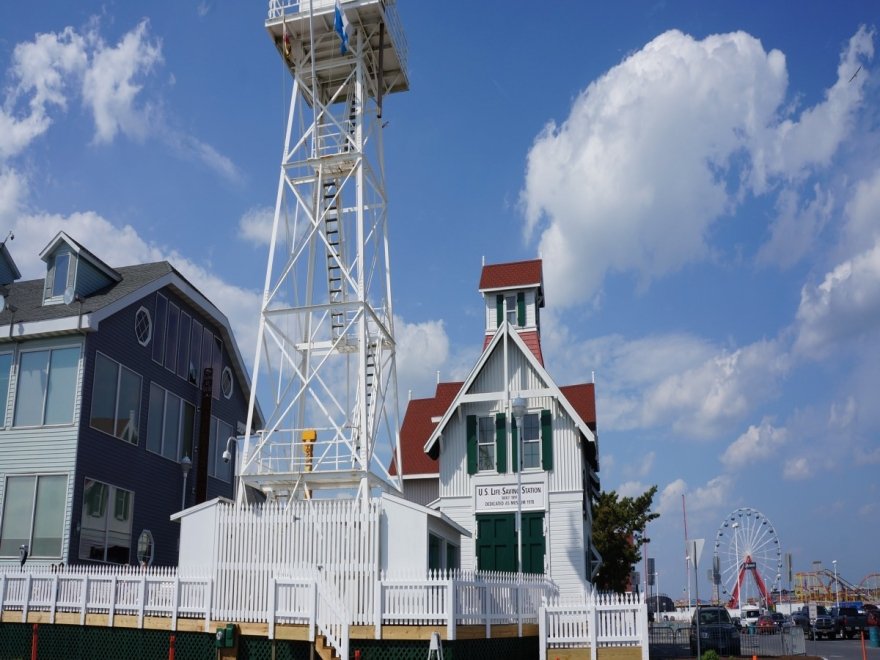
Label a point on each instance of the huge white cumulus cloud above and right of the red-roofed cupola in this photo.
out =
(666, 143)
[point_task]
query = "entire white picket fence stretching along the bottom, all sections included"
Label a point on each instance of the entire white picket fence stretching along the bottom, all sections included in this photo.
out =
(308, 597)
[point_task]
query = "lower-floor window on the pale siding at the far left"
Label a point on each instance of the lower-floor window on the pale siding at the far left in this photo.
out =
(33, 515)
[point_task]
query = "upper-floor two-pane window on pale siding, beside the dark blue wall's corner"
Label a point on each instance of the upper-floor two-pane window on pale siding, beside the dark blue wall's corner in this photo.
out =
(46, 387)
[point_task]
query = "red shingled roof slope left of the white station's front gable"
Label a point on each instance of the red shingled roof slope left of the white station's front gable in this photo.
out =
(417, 426)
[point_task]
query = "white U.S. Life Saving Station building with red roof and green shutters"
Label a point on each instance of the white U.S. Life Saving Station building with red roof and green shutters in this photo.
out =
(526, 498)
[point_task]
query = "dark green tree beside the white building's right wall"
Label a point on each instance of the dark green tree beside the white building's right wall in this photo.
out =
(618, 534)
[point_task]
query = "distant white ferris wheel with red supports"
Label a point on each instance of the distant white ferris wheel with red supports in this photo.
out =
(747, 563)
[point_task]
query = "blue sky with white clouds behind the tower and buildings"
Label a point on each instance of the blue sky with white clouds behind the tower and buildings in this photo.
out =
(702, 180)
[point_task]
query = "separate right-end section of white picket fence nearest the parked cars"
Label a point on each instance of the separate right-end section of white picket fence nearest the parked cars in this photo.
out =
(598, 620)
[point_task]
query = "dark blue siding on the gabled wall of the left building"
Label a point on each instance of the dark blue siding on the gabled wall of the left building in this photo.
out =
(157, 482)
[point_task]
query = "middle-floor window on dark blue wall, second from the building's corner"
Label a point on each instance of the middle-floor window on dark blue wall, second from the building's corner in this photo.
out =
(170, 424)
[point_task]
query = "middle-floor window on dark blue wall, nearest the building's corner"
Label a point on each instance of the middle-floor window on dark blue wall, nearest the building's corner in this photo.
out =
(116, 399)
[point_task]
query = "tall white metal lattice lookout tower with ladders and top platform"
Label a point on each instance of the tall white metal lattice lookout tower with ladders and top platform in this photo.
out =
(326, 337)
